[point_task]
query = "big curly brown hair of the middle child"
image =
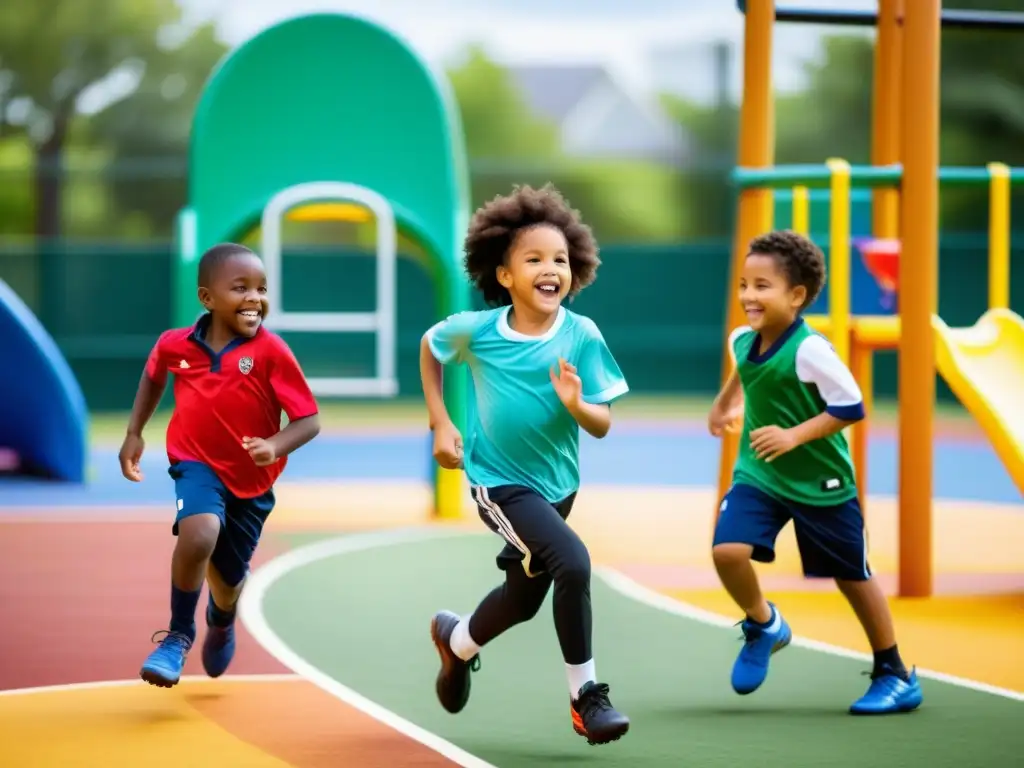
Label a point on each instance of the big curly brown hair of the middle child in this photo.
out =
(495, 227)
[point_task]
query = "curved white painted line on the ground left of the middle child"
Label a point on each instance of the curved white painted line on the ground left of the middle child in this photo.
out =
(251, 614)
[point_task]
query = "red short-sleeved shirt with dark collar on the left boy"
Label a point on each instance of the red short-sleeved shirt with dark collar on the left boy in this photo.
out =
(222, 398)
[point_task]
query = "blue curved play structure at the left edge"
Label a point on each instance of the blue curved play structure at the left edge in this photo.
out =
(44, 416)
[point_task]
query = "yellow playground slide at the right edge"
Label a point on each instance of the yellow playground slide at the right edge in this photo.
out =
(985, 367)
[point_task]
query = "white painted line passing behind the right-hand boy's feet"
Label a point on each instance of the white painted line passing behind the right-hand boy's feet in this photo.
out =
(635, 591)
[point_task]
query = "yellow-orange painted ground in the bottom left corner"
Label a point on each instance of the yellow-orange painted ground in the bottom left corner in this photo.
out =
(277, 722)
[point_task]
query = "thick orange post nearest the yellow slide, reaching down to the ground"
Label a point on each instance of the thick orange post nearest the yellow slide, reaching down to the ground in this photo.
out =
(919, 296)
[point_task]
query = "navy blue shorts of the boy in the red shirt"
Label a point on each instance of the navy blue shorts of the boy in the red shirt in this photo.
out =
(200, 492)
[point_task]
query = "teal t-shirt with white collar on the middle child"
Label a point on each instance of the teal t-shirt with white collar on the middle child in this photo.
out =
(518, 431)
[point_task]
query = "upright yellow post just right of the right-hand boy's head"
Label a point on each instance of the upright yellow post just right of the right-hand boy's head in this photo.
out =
(839, 258)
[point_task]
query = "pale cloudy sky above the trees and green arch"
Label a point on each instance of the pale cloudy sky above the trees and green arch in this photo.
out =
(619, 34)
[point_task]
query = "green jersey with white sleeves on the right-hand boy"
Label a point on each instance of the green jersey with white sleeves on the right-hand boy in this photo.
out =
(797, 379)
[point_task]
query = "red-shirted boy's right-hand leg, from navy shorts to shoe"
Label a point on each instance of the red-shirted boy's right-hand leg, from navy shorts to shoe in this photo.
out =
(227, 576)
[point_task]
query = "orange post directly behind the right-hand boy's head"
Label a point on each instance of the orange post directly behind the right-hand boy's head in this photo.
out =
(757, 150)
